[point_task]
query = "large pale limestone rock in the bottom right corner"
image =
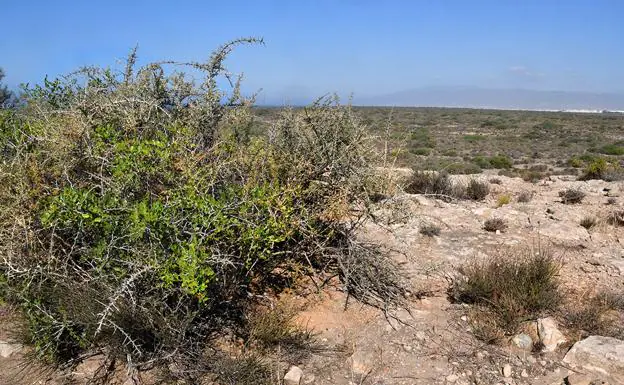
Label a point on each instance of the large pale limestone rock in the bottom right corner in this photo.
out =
(600, 356)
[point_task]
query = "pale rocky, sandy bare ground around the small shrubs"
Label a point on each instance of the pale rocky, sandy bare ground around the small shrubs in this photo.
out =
(431, 342)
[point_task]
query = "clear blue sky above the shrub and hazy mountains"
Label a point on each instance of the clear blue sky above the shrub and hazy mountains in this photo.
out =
(363, 47)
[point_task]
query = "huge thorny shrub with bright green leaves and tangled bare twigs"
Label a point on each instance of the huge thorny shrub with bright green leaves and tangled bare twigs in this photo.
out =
(140, 216)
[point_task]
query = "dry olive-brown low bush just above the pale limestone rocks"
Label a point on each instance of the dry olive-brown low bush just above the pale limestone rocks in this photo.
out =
(514, 286)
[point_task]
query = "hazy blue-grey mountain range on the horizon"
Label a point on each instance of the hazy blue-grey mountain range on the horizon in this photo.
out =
(475, 97)
